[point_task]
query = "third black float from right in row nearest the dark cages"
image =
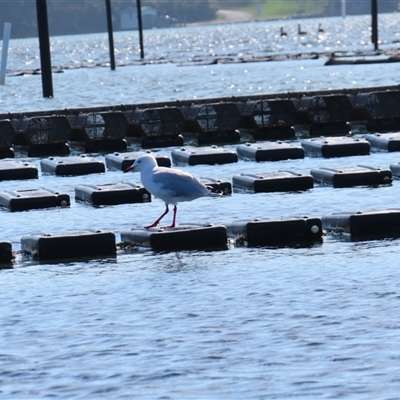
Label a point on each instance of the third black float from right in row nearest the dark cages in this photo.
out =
(274, 151)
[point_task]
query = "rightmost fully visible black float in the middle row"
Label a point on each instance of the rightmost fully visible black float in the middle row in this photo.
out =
(348, 176)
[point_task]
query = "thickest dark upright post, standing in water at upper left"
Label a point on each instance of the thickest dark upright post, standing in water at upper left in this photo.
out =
(44, 45)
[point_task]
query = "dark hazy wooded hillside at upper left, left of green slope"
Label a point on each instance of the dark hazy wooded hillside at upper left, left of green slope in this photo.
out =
(89, 16)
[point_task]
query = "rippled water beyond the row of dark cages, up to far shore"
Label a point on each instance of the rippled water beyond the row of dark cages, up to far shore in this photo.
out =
(179, 63)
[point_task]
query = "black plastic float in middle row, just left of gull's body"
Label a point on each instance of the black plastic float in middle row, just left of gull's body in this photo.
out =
(112, 193)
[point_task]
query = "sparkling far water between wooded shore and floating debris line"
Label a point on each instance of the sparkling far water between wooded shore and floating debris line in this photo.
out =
(183, 44)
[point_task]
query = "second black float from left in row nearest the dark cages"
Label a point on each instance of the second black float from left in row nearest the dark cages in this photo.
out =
(73, 165)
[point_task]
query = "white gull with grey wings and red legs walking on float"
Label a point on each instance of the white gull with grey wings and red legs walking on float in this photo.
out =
(170, 185)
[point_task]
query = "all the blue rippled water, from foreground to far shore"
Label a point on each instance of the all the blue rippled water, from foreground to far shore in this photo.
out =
(306, 323)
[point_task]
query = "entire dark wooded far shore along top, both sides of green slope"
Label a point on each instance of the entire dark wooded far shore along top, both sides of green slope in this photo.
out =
(69, 17)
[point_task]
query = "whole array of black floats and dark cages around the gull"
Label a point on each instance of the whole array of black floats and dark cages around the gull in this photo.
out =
(197, 131)
